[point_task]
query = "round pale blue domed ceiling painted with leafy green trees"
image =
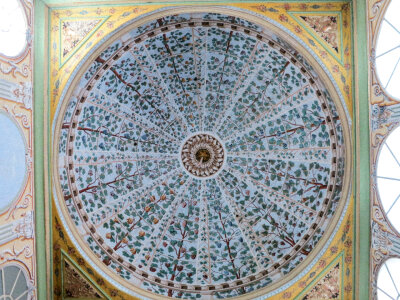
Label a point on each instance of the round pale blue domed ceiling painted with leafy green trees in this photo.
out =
(200, 156)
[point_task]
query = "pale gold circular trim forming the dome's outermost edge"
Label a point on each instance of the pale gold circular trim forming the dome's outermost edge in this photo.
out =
(265, 24)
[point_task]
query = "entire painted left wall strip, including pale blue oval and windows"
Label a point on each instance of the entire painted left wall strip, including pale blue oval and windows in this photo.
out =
(17, 242)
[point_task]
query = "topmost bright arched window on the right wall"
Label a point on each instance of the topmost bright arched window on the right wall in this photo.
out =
(388, 51)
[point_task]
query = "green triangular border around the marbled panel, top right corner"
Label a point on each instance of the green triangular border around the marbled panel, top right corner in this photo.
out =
(295, 15)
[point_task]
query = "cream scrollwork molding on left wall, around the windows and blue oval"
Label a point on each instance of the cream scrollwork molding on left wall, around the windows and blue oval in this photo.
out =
(17, 232)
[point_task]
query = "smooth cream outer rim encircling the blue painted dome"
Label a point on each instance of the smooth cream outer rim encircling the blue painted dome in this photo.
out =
(265, 24)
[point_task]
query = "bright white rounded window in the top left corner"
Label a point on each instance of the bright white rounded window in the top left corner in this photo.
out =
(13, 28)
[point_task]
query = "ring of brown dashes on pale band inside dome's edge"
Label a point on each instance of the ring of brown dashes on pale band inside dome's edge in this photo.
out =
(82, 96)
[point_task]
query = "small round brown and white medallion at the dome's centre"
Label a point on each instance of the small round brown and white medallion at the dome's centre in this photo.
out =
(202, 155)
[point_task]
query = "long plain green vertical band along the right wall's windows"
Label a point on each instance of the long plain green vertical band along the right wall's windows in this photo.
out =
(361, 153)
